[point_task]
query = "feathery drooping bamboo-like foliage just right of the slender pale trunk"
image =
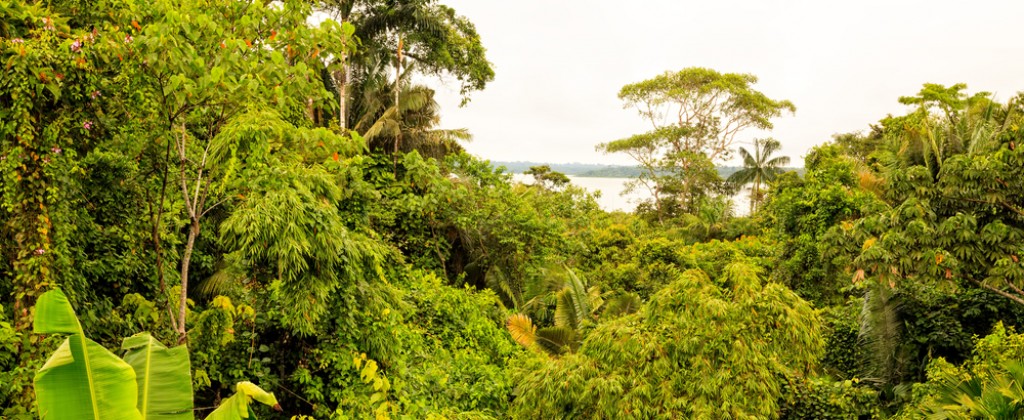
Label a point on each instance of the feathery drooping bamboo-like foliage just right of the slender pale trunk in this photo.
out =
(289, 228)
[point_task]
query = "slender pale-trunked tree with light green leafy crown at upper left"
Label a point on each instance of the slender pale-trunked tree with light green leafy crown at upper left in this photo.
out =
(206, 76)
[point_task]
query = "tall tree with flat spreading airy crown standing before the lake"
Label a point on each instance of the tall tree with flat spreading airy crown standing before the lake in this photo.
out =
(696, 115)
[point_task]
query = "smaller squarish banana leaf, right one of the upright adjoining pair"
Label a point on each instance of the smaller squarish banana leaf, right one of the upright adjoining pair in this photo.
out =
(163, 375)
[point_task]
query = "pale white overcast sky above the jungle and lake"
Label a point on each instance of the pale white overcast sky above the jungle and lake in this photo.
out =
(560, 65)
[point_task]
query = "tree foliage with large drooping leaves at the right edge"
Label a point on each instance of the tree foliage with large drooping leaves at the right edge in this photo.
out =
(960, 229)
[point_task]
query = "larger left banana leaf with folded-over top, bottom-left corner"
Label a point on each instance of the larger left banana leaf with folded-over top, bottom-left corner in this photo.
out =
(81, 381)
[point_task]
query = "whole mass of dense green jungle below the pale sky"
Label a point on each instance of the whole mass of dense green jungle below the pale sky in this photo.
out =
(265, 211)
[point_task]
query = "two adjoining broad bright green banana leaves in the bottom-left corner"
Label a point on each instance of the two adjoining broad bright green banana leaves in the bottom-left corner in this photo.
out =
(84, 381)
